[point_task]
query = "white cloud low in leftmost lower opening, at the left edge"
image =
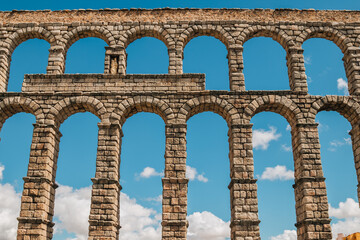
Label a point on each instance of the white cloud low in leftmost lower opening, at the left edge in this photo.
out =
(9, 211)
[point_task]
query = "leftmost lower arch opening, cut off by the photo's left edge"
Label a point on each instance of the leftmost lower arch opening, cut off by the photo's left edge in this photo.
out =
(15, 142)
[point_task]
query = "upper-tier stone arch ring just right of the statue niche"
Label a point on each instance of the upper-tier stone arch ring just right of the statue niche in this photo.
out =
(146, 31)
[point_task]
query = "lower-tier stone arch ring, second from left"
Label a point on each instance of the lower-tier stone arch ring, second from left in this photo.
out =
(69, 106)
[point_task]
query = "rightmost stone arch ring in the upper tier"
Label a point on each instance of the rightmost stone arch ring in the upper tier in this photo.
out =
(331, 34)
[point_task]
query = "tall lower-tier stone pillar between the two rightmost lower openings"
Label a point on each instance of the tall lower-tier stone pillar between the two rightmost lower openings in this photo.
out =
(310, 191)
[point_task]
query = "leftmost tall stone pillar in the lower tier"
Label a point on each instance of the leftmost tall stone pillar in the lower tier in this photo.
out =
(37, 201)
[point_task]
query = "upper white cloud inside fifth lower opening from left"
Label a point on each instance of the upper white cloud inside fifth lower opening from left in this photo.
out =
(262, 138)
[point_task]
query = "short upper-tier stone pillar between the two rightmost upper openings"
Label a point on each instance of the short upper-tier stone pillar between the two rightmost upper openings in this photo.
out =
(296, 69)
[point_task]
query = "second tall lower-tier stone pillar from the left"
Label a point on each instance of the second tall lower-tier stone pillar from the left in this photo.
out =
(105, 210)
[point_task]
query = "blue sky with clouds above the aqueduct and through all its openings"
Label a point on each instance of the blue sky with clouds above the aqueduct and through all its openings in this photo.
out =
(143, 145)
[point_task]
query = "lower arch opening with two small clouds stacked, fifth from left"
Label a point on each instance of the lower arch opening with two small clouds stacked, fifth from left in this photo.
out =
(274, 169)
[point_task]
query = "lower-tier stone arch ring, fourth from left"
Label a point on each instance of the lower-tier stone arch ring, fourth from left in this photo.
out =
(212, 104)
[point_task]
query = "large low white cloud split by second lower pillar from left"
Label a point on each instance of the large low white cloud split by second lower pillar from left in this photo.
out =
(137, 221)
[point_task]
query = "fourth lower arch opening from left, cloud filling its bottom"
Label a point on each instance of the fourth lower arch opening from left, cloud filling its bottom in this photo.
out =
(208, 171)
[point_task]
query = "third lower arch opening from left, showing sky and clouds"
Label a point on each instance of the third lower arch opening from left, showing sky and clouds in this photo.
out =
(141, 170)
